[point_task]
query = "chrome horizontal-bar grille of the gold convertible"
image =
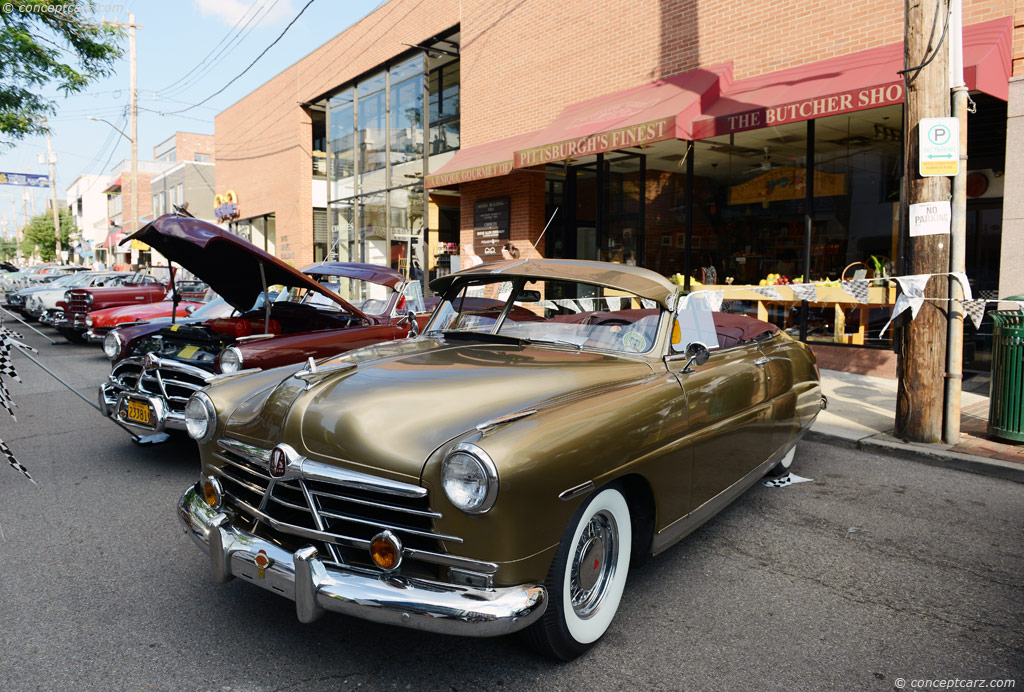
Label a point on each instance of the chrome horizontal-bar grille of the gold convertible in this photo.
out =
(343, 517)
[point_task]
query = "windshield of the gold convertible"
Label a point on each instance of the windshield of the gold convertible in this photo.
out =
(568, 314)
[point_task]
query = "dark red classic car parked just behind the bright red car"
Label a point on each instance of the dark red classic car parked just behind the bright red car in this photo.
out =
(144, 287)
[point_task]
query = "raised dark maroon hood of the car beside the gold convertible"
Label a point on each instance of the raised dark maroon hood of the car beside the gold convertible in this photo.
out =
(228, 264)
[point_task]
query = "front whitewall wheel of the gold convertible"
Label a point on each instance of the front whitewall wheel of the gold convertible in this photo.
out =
(587, 578)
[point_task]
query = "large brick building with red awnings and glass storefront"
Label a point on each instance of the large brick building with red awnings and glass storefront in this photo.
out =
(593, 110)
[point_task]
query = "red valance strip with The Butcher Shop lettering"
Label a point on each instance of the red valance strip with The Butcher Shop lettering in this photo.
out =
(834, 105)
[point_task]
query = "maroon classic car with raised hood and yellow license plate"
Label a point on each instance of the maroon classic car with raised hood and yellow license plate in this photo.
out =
(327, 309)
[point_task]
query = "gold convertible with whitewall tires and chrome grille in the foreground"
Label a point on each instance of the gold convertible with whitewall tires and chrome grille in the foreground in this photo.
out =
(556, 423)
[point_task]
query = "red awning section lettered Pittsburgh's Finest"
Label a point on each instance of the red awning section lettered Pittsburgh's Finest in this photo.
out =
(651, 113)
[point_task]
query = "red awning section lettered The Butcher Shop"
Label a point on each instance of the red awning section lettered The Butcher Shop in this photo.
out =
(865, 80)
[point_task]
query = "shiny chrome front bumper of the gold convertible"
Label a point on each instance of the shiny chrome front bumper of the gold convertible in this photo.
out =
(432, 607)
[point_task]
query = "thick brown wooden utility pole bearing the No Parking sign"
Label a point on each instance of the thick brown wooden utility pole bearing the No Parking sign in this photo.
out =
(922, 351)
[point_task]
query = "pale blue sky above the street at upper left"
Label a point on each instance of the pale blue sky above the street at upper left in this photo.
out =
(187, 51)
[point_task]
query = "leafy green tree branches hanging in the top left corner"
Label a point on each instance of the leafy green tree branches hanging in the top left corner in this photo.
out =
(49, 46)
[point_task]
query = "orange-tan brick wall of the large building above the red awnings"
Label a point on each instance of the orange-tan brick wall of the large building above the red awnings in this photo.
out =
(522, 63)
